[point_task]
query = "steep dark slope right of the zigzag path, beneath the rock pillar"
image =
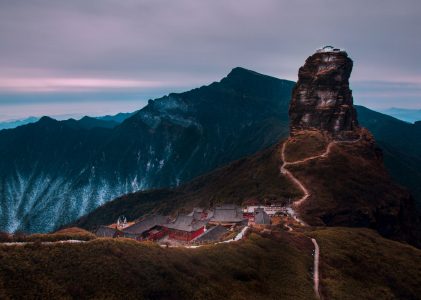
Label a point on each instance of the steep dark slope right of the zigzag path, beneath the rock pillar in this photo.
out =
(351, 187)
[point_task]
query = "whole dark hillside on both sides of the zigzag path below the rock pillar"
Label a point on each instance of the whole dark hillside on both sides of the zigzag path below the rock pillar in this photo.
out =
(349, 187)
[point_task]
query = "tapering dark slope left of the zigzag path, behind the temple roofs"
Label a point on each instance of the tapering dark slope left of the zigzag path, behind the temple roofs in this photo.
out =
(257, 176)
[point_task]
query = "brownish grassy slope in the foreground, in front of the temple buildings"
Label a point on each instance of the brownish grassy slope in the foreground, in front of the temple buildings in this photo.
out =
(355, 264)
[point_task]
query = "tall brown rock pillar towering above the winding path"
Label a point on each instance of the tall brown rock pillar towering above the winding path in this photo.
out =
(321, 99)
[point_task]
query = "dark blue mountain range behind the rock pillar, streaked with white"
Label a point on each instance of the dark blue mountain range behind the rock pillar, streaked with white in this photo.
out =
(53, 172)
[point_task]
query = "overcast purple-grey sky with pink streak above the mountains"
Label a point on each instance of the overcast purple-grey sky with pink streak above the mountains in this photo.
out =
(73, 58)
